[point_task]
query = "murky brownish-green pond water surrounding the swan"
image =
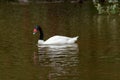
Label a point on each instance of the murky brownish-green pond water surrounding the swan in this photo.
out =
(97, 56)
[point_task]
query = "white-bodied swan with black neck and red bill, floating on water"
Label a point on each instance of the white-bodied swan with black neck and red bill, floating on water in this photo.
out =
(55, 39)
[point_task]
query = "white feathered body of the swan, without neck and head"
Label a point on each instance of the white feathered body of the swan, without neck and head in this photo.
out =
(59, 40)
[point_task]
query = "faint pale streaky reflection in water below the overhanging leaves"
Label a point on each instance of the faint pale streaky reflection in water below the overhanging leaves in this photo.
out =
(110, 25)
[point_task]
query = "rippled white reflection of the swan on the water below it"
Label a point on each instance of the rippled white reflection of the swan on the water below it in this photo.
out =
(63, 60)
